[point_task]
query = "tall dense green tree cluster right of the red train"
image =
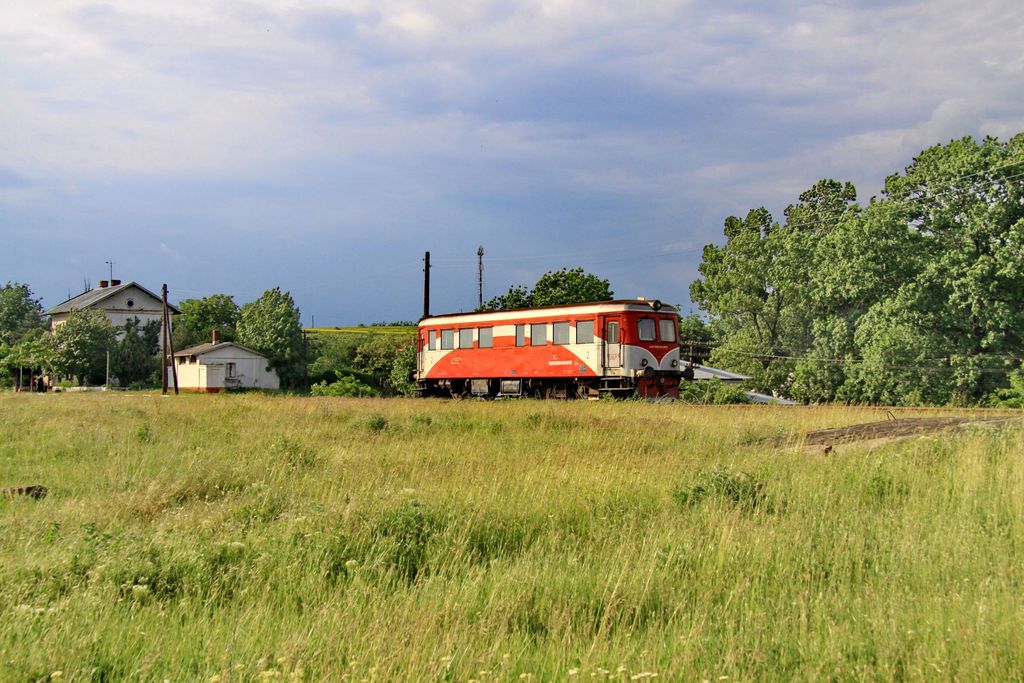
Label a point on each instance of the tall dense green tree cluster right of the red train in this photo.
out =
(913, 298)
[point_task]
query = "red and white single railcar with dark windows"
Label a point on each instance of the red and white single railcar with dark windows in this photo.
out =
(621, 349)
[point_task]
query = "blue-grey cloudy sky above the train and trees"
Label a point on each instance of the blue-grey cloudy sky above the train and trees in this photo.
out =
(324, 147)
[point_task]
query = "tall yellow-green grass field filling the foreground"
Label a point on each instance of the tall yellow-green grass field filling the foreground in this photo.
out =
(240, 538)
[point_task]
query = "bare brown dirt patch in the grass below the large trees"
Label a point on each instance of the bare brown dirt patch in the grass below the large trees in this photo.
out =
(889, 431)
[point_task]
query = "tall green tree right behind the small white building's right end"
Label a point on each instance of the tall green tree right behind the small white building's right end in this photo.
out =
(271, 326)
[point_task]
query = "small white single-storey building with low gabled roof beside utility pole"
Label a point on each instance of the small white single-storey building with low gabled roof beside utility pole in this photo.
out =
(217, 366)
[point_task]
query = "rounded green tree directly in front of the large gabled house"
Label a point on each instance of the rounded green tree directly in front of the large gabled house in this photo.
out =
(81, 346)
